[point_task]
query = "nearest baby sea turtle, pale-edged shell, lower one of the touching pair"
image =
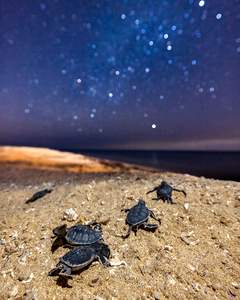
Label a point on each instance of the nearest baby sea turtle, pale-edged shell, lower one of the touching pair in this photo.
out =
(80, 257)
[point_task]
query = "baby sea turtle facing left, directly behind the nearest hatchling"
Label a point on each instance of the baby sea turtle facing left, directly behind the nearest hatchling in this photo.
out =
(79, 234)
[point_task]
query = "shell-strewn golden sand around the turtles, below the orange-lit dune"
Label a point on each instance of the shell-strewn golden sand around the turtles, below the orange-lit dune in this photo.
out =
(158, 264)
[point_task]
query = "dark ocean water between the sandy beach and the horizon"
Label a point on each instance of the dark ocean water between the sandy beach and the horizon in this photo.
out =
(217, 165)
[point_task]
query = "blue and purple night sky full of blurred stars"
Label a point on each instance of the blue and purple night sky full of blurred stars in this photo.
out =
(120, 74)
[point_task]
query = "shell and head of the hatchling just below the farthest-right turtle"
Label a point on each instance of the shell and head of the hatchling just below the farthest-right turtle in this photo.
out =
(138, 213)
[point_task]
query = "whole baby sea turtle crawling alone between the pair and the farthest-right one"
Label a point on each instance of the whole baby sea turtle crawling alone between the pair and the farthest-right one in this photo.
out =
(137, 215)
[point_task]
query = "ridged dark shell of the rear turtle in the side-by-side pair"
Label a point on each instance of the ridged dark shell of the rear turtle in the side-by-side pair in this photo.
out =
(82, 235)
